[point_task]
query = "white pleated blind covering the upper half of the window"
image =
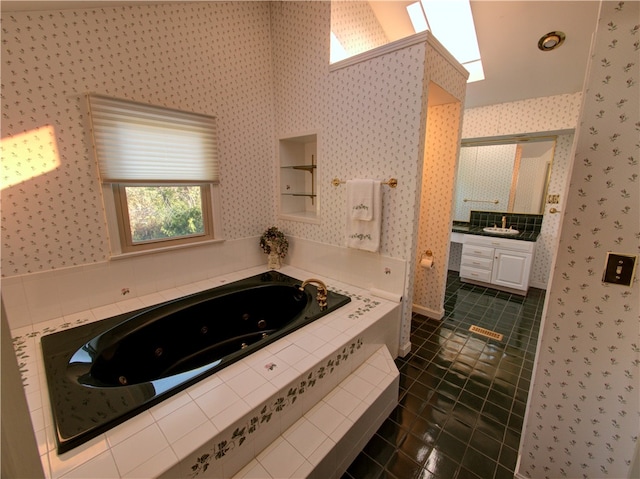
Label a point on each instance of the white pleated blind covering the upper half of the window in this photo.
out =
(136, 142)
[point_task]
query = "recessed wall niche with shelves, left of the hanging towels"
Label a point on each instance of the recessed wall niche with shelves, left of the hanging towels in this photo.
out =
(298, 157)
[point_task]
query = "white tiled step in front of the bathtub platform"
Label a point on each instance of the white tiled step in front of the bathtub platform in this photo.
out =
(323, 443)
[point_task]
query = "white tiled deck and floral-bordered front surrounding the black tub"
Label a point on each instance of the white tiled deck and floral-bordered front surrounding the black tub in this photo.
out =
(171, 437)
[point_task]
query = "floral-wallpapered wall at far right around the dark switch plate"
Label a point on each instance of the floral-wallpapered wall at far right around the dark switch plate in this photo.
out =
(584, 406)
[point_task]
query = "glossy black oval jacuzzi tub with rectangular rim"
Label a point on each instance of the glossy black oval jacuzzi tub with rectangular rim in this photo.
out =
(103, 373)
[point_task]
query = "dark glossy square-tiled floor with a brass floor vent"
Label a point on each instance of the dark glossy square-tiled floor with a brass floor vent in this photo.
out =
(462, 395)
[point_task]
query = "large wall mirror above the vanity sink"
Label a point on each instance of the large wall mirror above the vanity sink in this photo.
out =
(506, 175)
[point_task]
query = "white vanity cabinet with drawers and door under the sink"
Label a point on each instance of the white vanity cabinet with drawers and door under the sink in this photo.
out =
(501, 262)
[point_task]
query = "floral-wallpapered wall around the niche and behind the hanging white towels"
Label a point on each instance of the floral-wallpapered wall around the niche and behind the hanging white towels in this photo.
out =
(311, 98)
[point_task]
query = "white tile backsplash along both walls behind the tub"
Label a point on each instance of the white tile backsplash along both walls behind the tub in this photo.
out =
(35, 298)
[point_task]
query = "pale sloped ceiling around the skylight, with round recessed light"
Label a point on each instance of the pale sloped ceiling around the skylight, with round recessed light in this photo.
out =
(508, 33)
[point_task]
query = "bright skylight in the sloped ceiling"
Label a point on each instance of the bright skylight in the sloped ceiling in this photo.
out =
(451, 22)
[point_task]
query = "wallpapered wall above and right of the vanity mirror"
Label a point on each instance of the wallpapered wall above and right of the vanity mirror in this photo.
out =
(556, 115)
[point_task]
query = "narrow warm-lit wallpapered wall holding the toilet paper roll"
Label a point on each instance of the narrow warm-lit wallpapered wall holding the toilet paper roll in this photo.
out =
(438, 165)
